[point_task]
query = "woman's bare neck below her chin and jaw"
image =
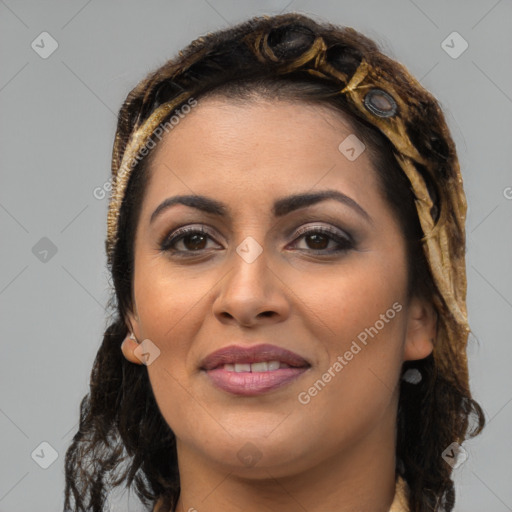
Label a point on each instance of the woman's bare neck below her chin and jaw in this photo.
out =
(359, 478)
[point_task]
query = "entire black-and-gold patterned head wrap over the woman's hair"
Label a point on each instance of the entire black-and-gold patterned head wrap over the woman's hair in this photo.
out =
(377, 88)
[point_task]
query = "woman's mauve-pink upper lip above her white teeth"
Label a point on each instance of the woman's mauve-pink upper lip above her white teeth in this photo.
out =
(257, 353)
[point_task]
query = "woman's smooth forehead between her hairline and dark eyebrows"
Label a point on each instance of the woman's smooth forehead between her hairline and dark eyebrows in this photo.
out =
(249, 156)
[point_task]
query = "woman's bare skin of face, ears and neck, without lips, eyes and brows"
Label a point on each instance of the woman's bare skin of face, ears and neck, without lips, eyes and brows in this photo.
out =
(336, 452)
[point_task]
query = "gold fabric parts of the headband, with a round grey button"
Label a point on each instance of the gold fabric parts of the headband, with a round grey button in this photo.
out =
(387, 102)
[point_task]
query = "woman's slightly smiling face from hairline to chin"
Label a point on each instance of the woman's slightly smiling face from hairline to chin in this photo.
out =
(323, 279)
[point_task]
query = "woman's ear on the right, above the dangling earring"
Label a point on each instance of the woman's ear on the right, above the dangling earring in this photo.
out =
(421, 329)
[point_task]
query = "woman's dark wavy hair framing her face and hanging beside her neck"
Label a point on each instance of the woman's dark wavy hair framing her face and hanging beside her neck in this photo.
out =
(122, 437)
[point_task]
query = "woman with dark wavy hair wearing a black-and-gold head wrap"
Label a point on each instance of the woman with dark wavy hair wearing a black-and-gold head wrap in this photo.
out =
(286, 240)
